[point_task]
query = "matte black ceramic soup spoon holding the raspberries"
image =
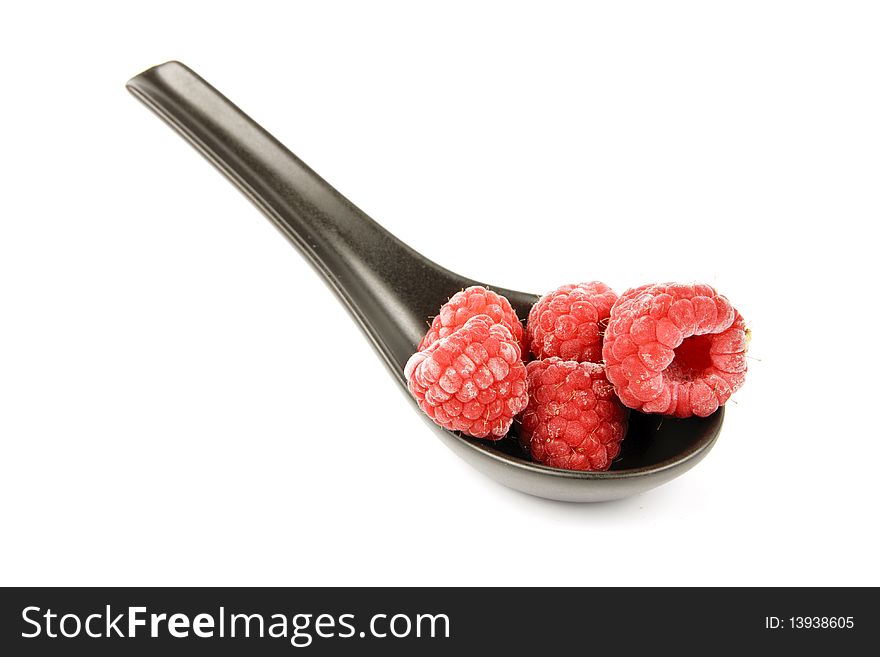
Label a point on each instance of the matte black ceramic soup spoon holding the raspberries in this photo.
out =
(391, 290)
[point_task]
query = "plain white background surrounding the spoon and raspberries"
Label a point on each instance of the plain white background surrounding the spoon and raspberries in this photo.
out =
(182, 400)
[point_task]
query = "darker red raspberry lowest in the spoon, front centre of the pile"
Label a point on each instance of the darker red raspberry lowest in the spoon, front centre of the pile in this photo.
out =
(573, 419)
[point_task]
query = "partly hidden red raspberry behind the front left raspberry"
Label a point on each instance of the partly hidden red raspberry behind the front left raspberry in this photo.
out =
(469, 303)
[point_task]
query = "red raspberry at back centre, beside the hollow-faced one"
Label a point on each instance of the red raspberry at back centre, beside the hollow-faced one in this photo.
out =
(569, 322)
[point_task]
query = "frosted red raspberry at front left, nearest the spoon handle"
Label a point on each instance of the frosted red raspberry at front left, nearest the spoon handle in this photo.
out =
(473, 380)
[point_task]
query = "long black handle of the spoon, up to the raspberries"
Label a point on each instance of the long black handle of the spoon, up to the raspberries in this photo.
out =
(388, 287)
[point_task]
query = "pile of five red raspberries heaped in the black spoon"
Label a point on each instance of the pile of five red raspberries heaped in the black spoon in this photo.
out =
(670, 349)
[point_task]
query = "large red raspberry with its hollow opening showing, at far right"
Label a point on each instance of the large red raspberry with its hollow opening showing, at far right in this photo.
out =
(675, 349)
